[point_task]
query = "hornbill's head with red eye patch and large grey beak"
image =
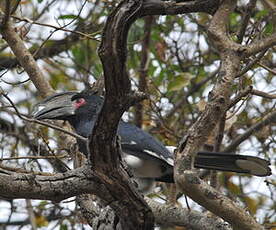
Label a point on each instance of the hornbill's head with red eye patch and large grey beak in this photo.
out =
(68, 105)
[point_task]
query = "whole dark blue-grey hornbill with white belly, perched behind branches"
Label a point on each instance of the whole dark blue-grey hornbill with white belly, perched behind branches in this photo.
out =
(147, 157)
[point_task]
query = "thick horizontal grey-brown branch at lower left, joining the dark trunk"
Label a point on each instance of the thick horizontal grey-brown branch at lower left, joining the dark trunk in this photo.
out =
(56, 188)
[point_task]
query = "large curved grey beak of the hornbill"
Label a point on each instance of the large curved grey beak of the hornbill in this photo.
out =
(58, 106)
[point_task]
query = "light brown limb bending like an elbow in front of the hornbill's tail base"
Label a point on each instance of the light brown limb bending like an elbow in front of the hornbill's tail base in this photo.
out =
(217, 105)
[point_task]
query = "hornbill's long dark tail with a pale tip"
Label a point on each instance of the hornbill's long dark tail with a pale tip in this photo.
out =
(233, 163)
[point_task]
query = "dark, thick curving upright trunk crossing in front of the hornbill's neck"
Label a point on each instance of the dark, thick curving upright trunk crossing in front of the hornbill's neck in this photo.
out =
(128, 204)
